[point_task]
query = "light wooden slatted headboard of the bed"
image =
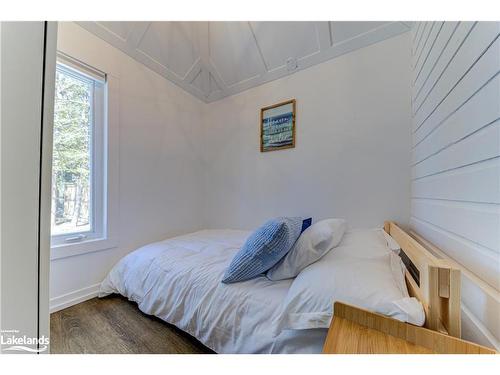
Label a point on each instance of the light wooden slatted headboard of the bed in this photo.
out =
(433, 281)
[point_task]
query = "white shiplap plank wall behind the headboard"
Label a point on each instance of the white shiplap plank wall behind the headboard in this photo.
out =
(456, 159)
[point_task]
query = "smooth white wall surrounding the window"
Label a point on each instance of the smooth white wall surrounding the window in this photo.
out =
(160, 174)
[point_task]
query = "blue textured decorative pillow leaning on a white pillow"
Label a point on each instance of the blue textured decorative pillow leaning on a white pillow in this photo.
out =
(263, 249)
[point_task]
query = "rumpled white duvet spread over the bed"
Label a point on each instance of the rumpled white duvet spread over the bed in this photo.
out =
(179, 281)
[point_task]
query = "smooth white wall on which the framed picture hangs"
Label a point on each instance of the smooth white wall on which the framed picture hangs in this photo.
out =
(352, 148)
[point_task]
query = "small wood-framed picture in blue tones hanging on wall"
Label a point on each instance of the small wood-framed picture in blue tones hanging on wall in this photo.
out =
(277, 126)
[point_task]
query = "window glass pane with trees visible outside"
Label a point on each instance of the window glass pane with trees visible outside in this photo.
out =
(72, 154)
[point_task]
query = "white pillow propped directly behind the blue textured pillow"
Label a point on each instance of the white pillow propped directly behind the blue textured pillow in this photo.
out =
(314, 243)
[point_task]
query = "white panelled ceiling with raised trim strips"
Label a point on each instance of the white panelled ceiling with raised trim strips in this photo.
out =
(212, 60)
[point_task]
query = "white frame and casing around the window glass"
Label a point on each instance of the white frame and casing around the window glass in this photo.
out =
(105, 168)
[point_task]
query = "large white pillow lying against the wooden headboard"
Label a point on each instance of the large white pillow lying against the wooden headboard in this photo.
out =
(363, 272)
